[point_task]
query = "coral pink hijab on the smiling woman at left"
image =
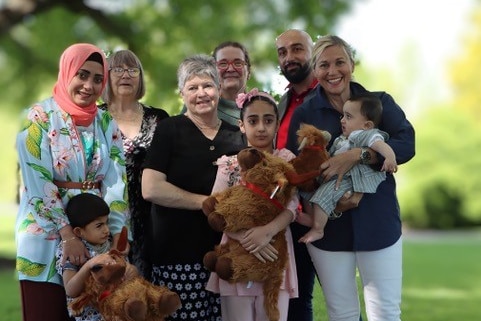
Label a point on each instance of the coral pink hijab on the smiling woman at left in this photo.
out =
(70, 62)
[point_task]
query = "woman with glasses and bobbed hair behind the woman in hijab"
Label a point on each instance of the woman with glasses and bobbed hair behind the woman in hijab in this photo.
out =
(137, 123)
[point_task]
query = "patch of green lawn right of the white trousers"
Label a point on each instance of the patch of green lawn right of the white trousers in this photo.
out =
(442, 281)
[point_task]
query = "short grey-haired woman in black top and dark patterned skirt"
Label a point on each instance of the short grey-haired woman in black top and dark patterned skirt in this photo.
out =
(179, 173)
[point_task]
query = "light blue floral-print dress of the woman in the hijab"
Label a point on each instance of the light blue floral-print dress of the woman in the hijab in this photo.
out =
(50, 147)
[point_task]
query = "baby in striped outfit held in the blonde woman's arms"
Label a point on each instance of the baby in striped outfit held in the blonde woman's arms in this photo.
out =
(362, 114)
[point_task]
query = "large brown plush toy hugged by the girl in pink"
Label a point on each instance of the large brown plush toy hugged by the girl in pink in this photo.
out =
(268, 186)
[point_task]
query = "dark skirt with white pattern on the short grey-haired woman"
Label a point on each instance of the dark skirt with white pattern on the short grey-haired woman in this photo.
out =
(189, 281)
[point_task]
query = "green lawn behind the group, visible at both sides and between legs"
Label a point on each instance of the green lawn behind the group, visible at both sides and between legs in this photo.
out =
(441, 282)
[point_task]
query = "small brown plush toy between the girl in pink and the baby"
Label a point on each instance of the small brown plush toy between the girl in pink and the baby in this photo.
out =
(312, 145)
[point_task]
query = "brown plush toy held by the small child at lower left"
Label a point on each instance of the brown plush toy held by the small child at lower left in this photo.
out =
(121, 298)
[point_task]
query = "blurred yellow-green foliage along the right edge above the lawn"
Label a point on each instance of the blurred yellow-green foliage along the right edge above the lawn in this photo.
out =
(442, 183)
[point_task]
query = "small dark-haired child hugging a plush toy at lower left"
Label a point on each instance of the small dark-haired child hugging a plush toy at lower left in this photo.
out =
(88, 215)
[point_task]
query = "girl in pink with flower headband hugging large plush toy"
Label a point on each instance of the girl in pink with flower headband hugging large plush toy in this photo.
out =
(259, 122)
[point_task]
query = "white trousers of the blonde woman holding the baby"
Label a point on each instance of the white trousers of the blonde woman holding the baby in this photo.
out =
(381, 278)
